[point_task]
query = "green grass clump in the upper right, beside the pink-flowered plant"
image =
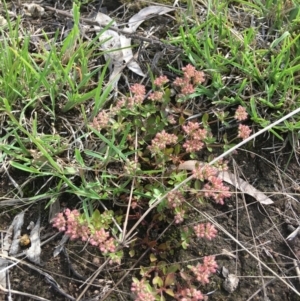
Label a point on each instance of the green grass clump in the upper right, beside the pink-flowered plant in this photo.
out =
(251, 51)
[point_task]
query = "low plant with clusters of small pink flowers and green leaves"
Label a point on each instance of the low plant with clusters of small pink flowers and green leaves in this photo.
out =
(163, 141)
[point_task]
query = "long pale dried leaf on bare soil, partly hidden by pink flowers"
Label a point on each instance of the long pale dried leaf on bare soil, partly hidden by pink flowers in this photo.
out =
(230, 178)
